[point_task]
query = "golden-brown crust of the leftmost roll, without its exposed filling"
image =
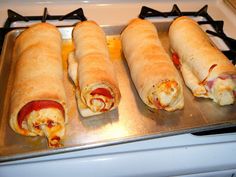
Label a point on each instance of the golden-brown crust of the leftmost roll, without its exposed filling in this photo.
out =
(38, 70)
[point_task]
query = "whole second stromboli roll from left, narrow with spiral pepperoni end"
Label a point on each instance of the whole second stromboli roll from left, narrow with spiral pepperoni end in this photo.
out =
(92, 71)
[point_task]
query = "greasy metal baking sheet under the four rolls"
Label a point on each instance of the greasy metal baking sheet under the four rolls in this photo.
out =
(132, 121)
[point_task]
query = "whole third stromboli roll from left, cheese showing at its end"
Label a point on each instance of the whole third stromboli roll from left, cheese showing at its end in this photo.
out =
(153, 73)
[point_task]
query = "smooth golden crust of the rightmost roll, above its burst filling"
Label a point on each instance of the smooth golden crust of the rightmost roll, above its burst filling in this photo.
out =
(195, 49)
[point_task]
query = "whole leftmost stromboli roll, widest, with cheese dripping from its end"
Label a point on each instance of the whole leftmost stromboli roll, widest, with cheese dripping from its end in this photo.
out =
(38, 100)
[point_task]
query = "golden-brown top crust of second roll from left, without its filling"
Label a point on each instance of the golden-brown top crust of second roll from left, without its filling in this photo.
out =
(92, 55)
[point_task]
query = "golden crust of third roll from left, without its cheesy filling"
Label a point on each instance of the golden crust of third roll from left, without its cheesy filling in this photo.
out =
(148, 62)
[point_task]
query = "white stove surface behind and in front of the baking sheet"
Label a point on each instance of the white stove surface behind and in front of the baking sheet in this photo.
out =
(182, 155)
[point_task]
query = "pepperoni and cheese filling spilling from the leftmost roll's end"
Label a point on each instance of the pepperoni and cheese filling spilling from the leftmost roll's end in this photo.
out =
(43, 118)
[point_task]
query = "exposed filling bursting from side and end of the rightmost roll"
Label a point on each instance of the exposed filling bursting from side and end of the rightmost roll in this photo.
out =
(221, 89)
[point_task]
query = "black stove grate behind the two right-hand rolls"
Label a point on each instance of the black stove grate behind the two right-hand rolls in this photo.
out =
(217, 25)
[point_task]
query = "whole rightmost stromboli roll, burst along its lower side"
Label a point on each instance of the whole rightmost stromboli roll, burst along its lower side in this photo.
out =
(206, 70)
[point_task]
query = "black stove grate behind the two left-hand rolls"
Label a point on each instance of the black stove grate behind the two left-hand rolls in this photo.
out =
(13, 16)
